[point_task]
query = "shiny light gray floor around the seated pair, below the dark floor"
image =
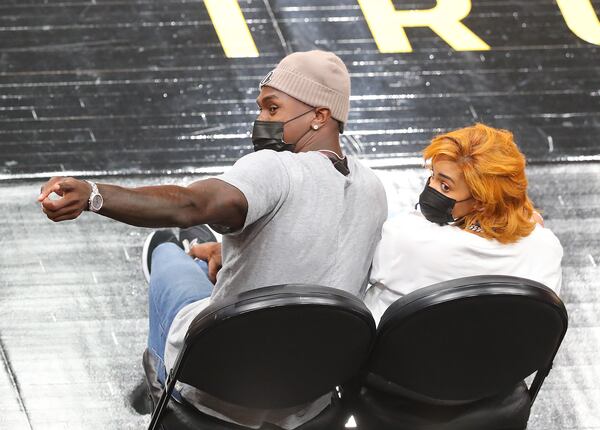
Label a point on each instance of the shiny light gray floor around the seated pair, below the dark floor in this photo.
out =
(73, 317)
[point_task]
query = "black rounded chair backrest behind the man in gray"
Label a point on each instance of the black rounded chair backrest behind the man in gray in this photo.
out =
(277, 347)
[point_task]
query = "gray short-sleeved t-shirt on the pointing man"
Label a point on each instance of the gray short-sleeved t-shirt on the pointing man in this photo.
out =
(306, 223)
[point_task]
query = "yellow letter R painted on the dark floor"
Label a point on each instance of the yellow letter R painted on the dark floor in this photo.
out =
(387, 24)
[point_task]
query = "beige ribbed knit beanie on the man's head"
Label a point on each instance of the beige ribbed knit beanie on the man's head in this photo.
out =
(317, 78)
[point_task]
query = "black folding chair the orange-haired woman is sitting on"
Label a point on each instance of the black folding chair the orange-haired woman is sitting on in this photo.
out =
(454, 356)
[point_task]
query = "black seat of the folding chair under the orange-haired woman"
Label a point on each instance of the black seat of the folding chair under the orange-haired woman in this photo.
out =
(375, 410)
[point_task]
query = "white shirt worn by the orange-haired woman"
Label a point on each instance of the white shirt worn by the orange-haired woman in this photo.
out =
(415, 253)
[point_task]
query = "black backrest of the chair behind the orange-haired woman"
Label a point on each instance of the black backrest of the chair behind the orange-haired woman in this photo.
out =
(467, 339)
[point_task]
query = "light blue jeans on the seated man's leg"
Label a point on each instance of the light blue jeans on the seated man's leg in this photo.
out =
(176, 280)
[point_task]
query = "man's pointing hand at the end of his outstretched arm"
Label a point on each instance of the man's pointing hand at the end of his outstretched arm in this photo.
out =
(74, 195)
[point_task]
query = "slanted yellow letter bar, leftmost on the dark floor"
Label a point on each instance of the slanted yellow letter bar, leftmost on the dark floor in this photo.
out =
(231, 27)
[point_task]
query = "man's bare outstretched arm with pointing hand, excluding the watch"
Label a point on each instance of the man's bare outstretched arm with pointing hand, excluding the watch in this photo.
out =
(209, 201)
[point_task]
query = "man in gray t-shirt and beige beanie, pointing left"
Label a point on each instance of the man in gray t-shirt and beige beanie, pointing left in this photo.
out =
(295, 211)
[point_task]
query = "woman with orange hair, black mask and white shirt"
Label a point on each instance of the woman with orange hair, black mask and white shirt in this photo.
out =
(475, 219)
